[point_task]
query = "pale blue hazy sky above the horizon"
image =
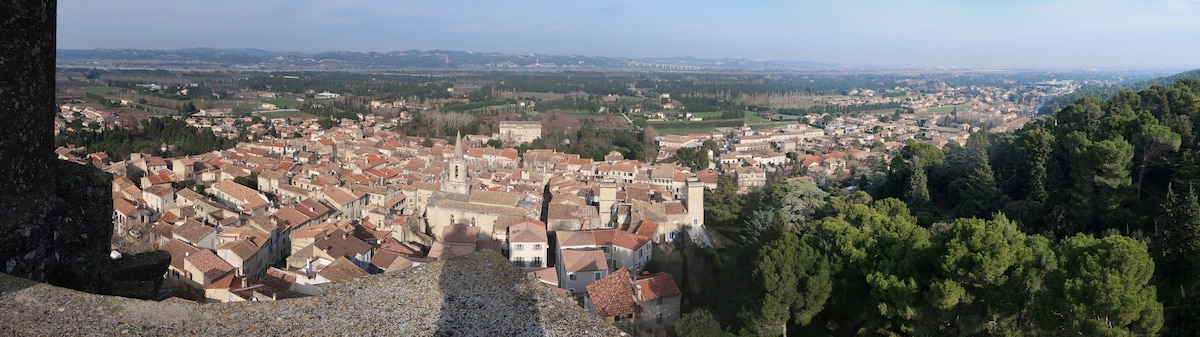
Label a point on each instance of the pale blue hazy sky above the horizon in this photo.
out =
(1156, 34)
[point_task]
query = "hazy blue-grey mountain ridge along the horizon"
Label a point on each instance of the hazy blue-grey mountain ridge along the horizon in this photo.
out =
(256, 58)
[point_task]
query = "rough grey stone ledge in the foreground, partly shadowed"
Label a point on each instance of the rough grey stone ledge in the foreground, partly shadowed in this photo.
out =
(481, 294)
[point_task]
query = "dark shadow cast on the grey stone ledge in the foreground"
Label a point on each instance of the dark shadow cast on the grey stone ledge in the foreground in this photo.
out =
(513, 311)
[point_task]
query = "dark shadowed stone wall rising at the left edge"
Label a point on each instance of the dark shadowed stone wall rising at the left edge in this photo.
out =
(56, 216)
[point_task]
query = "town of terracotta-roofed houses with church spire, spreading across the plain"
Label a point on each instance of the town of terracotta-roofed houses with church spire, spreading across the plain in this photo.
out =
(321, 186)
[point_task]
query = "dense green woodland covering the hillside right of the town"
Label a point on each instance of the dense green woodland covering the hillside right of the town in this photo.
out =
(1085, 224)
